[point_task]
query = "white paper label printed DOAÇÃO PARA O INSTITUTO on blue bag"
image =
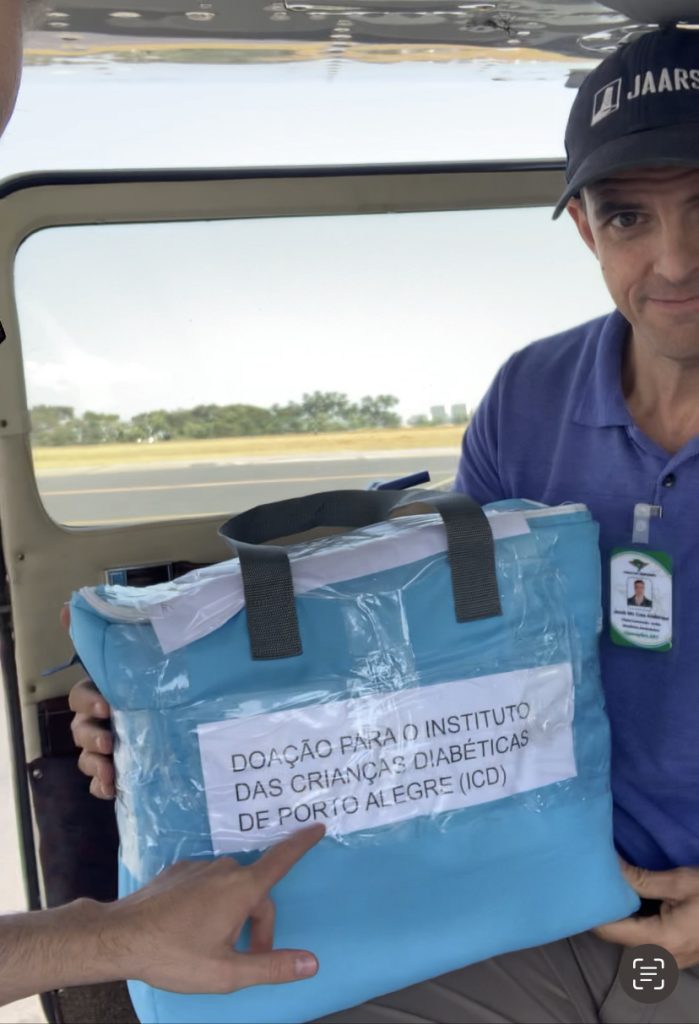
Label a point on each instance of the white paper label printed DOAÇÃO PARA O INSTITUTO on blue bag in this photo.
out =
(371, 761)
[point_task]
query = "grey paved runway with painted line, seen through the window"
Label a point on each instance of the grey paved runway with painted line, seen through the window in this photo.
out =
(162, 491)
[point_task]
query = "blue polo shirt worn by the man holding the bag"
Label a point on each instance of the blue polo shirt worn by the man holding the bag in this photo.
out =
(554, 428)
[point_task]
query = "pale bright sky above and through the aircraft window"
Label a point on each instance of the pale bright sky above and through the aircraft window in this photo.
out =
(124, 319)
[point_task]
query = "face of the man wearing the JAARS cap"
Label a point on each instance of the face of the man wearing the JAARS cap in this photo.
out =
(643, 226)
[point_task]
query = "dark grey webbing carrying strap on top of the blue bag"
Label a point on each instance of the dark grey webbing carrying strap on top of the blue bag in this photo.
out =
(273, 623)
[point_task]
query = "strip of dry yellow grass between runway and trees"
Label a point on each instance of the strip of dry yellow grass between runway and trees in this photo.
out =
(222, 449)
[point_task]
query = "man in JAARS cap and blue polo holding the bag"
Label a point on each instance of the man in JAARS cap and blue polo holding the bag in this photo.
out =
(606, 414)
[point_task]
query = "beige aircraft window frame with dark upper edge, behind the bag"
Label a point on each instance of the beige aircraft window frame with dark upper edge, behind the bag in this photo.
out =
(40, 559)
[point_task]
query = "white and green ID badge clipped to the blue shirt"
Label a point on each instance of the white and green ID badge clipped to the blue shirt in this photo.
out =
(641, 600)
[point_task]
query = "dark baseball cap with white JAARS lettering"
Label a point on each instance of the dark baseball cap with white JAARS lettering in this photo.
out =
(640, 108)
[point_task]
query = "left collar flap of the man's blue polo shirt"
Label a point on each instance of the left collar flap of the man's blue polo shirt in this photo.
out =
(602, 403)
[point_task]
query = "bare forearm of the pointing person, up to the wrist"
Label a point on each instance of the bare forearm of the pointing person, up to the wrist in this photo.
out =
(47, 950)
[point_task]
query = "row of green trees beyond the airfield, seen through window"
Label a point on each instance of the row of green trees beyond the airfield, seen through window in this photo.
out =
(317, 413)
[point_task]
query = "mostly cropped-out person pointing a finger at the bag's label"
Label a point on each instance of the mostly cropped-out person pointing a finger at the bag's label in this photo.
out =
(178, 932)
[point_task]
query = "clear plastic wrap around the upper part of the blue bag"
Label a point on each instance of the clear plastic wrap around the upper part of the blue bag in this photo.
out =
(395, 719)
